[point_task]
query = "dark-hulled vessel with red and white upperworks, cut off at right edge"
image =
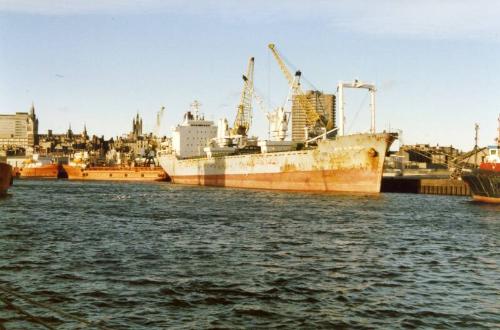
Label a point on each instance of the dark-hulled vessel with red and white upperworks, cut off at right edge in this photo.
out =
(484, 182)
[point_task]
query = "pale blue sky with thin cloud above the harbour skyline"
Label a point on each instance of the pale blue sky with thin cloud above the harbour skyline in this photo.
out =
(436, 63)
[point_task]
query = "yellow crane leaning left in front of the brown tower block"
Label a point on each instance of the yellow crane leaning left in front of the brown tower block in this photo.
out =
(313, 119)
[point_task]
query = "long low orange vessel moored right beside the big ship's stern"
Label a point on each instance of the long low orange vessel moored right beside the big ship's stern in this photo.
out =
(115, 173)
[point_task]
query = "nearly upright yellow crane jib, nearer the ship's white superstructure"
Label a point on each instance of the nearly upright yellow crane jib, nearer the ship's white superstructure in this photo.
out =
(243, 118)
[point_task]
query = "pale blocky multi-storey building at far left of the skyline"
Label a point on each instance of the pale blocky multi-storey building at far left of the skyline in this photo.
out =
(19, 130)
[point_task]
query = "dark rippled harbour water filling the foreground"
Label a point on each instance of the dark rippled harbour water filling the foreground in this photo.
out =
(156, 255)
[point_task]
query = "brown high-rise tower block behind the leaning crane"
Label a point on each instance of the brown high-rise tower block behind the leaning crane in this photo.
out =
(323, 104)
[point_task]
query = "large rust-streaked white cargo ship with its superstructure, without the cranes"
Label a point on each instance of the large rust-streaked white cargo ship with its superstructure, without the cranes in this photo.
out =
(343, 163)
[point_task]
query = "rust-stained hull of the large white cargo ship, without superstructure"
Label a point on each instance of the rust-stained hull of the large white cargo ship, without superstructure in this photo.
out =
(347, 164)
